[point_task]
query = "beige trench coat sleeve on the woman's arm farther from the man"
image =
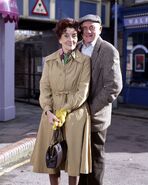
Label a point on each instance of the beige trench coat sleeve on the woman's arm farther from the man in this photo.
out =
(45, 98)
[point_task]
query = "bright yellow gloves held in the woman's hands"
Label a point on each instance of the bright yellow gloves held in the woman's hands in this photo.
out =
(61, 115)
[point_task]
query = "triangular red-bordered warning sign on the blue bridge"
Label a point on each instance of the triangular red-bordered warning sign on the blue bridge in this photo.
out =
(39, 8)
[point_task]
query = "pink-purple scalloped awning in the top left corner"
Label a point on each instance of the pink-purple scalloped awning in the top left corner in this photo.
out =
(9, 10)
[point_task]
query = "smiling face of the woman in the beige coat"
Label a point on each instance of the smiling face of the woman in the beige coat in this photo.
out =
(69, 40)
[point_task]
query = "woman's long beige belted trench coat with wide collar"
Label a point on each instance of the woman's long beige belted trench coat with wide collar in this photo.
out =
(65, 86)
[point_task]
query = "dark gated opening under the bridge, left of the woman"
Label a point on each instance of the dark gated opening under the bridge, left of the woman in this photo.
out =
(30, 49)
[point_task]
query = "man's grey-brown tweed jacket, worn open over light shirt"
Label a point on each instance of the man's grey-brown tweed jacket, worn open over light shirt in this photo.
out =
(106, 83)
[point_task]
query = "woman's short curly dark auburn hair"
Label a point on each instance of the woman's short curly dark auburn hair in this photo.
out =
(65, 23)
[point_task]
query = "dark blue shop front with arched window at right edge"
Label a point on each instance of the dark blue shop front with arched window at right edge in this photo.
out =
(135, 69)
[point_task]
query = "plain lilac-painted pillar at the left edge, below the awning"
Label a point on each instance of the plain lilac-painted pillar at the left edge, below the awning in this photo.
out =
(7, 42)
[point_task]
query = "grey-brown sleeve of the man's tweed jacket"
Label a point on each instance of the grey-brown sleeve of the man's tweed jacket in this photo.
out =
(112, 82)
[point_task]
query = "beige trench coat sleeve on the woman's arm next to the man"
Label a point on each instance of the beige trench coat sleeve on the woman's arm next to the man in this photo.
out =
(82, 89)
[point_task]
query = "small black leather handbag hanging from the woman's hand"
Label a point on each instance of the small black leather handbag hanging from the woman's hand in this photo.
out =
(56, 152)
